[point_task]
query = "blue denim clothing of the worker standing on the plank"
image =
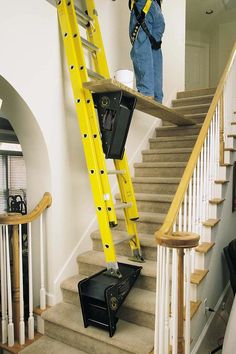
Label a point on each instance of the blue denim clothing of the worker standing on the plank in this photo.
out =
(147, 62)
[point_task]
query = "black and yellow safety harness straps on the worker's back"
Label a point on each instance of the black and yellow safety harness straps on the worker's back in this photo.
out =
(141, 23)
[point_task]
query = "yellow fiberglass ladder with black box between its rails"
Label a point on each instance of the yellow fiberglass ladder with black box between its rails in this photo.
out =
(73, 22)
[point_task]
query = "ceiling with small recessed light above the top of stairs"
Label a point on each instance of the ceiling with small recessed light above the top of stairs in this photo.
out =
(197, 19)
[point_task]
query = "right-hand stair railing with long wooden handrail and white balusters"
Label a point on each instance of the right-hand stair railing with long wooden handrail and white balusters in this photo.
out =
(190, 215)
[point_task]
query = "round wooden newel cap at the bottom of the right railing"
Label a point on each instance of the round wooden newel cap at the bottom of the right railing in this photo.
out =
(179, 239)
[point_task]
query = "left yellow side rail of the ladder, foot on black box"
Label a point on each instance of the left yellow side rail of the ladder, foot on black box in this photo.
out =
(73, 48)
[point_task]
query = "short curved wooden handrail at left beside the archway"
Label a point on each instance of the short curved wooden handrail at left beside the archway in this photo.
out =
(17, 219)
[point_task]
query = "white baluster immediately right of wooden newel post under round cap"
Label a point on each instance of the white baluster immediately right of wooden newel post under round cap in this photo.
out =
(187, 301)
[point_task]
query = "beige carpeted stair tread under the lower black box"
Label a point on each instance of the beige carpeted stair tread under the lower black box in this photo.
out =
(128, 337)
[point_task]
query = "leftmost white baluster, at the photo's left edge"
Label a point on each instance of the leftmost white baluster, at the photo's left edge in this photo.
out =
(3, 285)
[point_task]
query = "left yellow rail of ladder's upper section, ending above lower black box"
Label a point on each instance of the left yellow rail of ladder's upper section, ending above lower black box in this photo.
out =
(79, 75)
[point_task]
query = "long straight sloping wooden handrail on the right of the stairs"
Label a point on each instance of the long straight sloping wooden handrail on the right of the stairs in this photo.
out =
(167, 226)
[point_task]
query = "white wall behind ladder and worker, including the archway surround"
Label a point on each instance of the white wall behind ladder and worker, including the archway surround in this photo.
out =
(34, 73)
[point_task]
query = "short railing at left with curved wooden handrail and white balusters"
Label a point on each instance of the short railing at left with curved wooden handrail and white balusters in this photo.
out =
(12, 290)
